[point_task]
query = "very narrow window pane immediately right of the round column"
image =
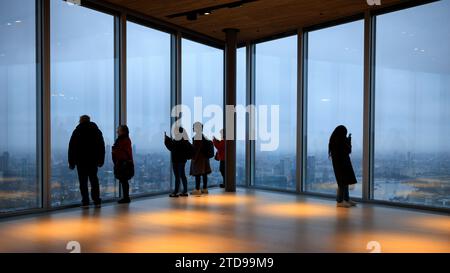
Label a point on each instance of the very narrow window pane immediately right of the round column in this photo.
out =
(241, 104)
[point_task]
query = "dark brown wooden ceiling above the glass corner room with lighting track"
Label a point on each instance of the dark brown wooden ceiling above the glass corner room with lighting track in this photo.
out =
(255, 20)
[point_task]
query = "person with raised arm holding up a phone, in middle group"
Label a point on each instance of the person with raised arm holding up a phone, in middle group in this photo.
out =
(181, 151)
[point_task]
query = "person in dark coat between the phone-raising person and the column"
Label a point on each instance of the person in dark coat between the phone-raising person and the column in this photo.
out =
(203, 150)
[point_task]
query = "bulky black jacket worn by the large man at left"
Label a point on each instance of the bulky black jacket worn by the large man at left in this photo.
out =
(86, 147)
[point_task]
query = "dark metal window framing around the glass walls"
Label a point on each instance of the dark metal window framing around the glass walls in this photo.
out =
(177, 33)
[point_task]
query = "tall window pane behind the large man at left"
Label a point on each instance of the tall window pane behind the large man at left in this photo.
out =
(82, 82)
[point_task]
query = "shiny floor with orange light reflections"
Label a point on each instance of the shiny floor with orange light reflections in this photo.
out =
(249, 221)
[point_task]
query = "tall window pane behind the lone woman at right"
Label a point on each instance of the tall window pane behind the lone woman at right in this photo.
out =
(335, 78)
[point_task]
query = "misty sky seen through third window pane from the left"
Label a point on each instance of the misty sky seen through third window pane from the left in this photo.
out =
(148, 86)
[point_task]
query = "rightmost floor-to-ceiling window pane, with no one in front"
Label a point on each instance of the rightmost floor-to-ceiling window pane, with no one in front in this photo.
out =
(412, 99)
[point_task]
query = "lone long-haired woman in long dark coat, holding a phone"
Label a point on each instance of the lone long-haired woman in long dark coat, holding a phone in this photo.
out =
(339, 149)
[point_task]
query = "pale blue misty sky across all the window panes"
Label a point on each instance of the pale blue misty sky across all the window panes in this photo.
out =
(412, 83)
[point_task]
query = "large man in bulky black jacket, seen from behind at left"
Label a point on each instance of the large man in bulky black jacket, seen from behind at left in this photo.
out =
(87, 154)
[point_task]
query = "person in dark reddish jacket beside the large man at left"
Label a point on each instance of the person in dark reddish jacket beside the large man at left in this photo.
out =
(122, 156)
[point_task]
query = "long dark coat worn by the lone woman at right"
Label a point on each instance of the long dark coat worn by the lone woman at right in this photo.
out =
(342, 164)
